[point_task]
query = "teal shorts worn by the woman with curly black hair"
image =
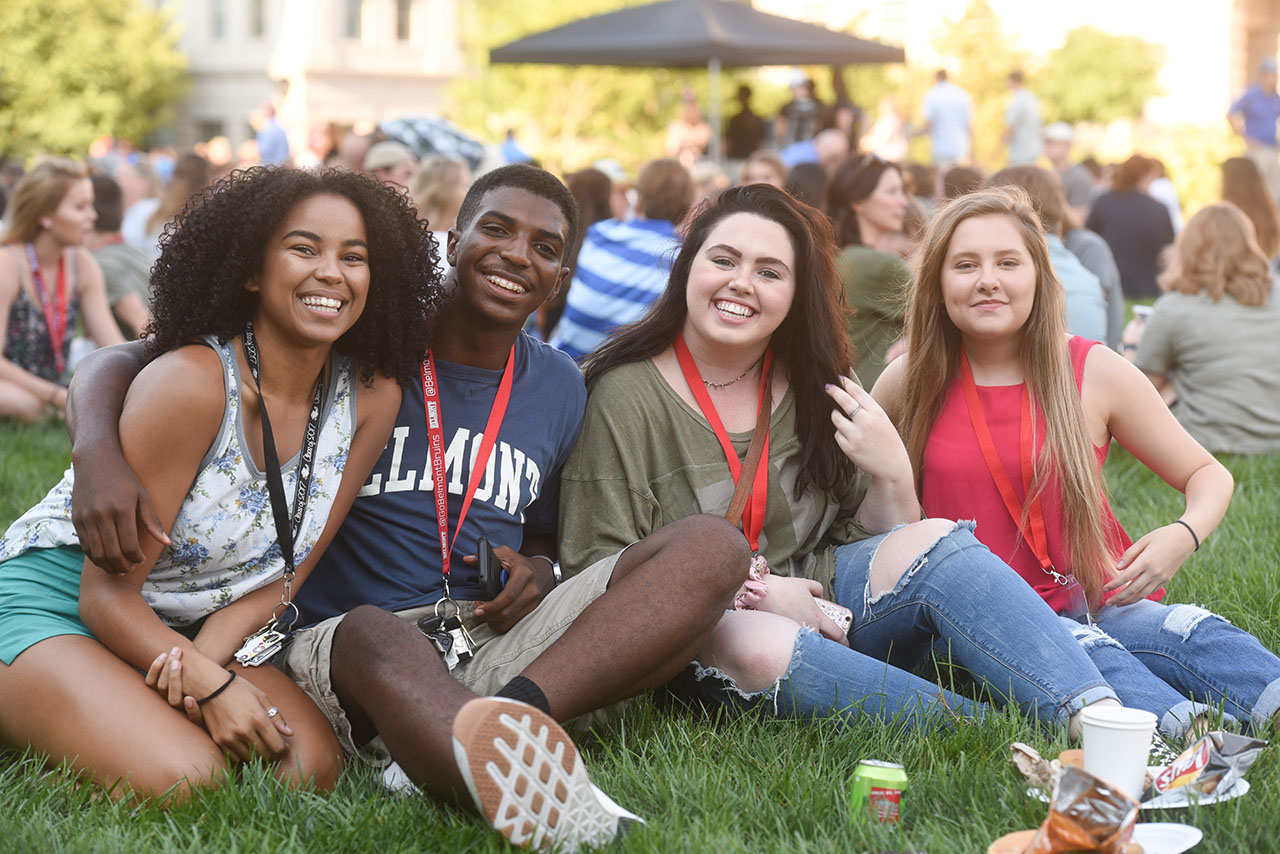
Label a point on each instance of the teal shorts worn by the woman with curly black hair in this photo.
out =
(40, 599)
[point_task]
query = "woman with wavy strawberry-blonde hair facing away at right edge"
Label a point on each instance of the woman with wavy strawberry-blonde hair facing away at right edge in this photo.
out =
(1212, 340)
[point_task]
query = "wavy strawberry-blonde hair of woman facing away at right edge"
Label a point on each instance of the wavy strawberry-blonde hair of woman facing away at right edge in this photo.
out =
(1218, 254)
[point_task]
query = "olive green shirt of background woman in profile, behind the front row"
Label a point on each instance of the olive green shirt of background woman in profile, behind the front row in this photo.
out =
(876, 287)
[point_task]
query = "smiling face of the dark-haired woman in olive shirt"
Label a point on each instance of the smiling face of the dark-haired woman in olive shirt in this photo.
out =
(740, 285)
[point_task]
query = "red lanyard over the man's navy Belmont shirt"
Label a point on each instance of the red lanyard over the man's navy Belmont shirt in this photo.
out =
(436, 439)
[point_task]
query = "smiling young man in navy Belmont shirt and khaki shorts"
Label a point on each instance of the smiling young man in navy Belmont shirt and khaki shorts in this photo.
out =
(621, 627)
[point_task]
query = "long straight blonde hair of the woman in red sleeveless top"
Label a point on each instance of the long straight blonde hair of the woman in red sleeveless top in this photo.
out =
(934, 360)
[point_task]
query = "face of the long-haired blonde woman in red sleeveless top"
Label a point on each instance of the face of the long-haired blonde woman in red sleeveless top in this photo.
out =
(989, 278)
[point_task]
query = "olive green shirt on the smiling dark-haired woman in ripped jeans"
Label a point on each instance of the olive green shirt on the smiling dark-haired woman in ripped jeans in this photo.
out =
(646, 459)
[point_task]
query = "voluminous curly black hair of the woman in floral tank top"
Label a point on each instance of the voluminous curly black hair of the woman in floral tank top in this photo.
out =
(218, 243)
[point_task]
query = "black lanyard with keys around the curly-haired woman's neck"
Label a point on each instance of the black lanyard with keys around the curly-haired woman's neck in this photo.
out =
(264, 643)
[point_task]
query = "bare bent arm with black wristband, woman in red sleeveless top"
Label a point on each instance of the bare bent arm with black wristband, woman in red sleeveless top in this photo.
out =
(1121, 403)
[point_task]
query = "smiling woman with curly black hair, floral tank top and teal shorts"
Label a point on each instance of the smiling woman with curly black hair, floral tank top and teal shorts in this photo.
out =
(282, 293)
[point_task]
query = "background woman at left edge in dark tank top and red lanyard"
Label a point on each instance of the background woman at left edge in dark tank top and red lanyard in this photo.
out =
(48, 280)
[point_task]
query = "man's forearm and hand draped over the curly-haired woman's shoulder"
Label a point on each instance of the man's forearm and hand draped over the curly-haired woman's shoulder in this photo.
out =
(109, 505)
